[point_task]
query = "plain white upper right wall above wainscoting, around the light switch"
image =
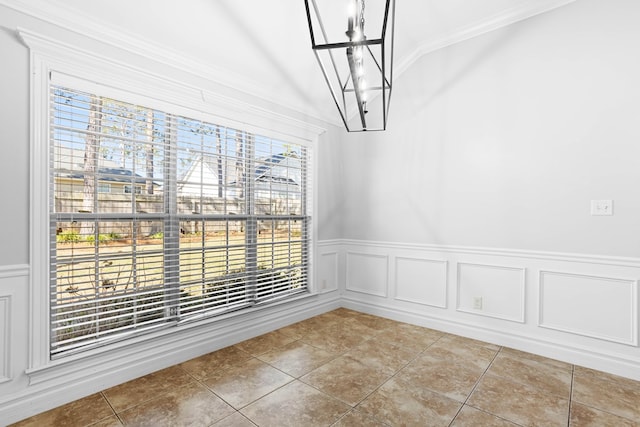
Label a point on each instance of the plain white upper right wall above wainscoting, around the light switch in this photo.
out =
(502, 141)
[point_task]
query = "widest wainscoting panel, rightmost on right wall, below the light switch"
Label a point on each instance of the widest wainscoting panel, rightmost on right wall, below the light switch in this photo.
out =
(601, 307)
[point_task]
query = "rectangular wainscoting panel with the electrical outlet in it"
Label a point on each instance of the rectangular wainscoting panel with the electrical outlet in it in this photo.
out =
(490, 290)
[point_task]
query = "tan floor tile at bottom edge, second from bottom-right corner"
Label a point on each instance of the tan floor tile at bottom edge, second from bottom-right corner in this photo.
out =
(519, 403)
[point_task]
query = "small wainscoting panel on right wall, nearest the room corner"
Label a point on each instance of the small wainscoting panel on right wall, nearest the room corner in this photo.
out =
(367, 273)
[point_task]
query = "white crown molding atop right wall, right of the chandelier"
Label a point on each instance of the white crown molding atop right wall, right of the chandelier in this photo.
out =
(502, 19)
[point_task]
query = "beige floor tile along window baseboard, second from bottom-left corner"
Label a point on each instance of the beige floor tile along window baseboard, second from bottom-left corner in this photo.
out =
(135, 392)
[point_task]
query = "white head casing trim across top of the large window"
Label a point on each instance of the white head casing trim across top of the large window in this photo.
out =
(126, 81)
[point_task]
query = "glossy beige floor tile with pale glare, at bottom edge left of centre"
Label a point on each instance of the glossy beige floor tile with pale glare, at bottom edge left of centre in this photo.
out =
(295, 404)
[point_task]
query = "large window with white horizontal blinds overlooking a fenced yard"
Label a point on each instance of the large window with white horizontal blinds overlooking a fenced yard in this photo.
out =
(200, 219)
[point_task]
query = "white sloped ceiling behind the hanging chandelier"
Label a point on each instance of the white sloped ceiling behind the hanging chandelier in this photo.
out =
(263, 46)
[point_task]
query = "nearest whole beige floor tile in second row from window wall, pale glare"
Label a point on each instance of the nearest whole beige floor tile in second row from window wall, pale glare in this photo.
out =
(246, 382)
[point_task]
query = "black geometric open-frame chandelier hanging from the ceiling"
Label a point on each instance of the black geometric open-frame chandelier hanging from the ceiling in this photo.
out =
(356, 59)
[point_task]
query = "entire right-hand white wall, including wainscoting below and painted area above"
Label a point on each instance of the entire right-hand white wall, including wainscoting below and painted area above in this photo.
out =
(481, 188)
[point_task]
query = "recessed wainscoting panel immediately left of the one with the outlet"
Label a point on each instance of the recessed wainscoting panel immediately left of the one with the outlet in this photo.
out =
(421, 281)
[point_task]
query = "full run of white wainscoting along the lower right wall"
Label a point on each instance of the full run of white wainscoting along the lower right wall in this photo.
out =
(578, 308)
